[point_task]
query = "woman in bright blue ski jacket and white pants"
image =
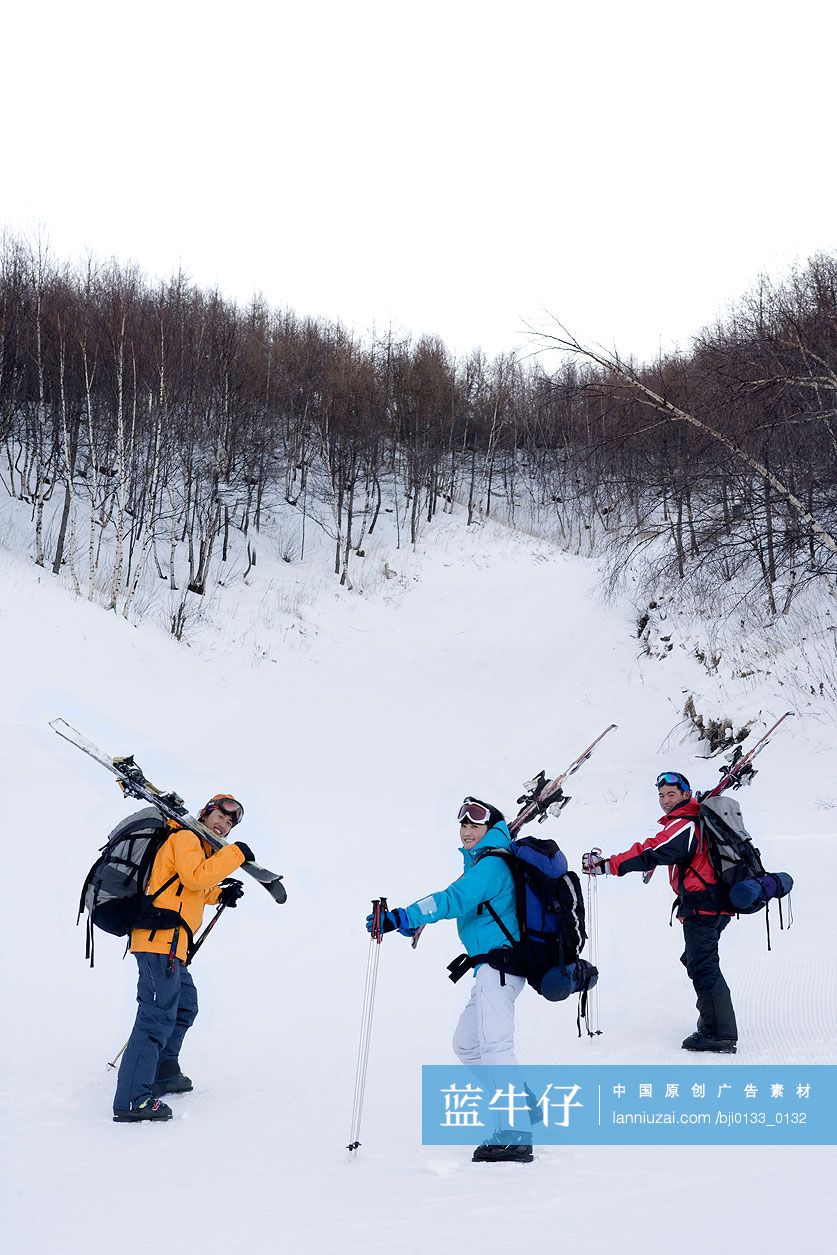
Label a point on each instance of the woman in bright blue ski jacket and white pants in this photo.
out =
(486, 1030)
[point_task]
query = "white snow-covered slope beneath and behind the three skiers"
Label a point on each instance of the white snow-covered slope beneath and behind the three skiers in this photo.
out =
(352, 726)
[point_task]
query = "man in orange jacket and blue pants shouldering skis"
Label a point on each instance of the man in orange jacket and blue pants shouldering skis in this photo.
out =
(186, 875)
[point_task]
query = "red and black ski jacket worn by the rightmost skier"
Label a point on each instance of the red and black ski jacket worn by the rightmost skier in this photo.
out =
(681, 848)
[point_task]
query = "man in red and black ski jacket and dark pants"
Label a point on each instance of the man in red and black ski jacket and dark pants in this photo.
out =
(681, 846)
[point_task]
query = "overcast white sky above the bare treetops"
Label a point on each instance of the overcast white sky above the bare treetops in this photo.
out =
(454, 169)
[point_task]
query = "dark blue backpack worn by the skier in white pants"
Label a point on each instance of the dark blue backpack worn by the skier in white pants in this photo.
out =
(552, 921)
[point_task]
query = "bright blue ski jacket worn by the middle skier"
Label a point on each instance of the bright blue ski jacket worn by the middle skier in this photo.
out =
(485, 880)
